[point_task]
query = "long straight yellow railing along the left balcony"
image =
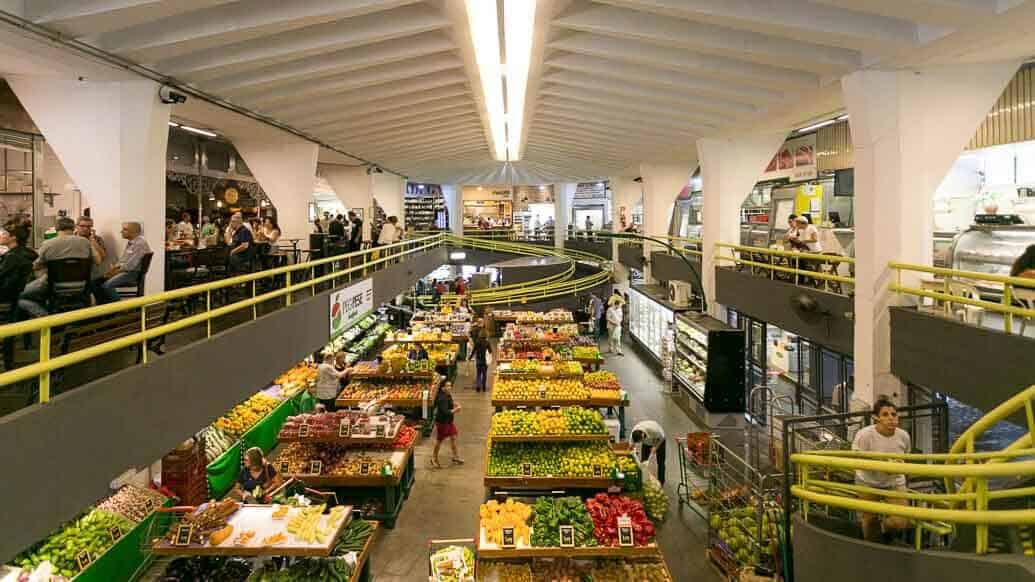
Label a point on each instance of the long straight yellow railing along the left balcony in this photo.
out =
(369, 260)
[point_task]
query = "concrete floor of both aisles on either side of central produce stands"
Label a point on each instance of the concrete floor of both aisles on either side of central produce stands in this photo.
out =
(445, 504)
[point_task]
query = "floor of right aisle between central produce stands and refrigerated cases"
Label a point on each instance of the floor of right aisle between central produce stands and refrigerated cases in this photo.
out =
(684, 537)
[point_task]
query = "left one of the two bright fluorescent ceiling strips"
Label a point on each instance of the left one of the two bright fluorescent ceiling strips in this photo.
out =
(486, 36)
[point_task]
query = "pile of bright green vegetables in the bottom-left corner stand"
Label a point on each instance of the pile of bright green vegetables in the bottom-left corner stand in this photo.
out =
(90, 533)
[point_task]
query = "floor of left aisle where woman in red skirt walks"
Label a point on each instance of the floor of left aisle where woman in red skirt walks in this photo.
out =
(443, 504)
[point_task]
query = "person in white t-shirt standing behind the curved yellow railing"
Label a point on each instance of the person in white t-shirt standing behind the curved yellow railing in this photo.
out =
(883, 436)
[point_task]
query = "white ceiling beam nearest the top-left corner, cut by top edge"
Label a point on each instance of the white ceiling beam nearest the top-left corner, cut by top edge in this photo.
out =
(87, 18)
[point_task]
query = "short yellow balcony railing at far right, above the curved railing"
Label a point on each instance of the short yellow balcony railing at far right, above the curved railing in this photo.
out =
(952, 287)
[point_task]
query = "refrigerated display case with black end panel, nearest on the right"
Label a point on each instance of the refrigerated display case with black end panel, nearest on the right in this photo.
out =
(711, 362)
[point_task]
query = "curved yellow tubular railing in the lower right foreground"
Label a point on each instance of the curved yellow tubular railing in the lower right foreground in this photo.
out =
(966, 474)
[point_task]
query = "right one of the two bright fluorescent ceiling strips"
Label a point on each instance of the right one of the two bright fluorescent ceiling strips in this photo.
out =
(519, 22)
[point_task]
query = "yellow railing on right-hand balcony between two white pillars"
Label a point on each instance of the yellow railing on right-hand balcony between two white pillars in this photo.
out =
(824, 272)
